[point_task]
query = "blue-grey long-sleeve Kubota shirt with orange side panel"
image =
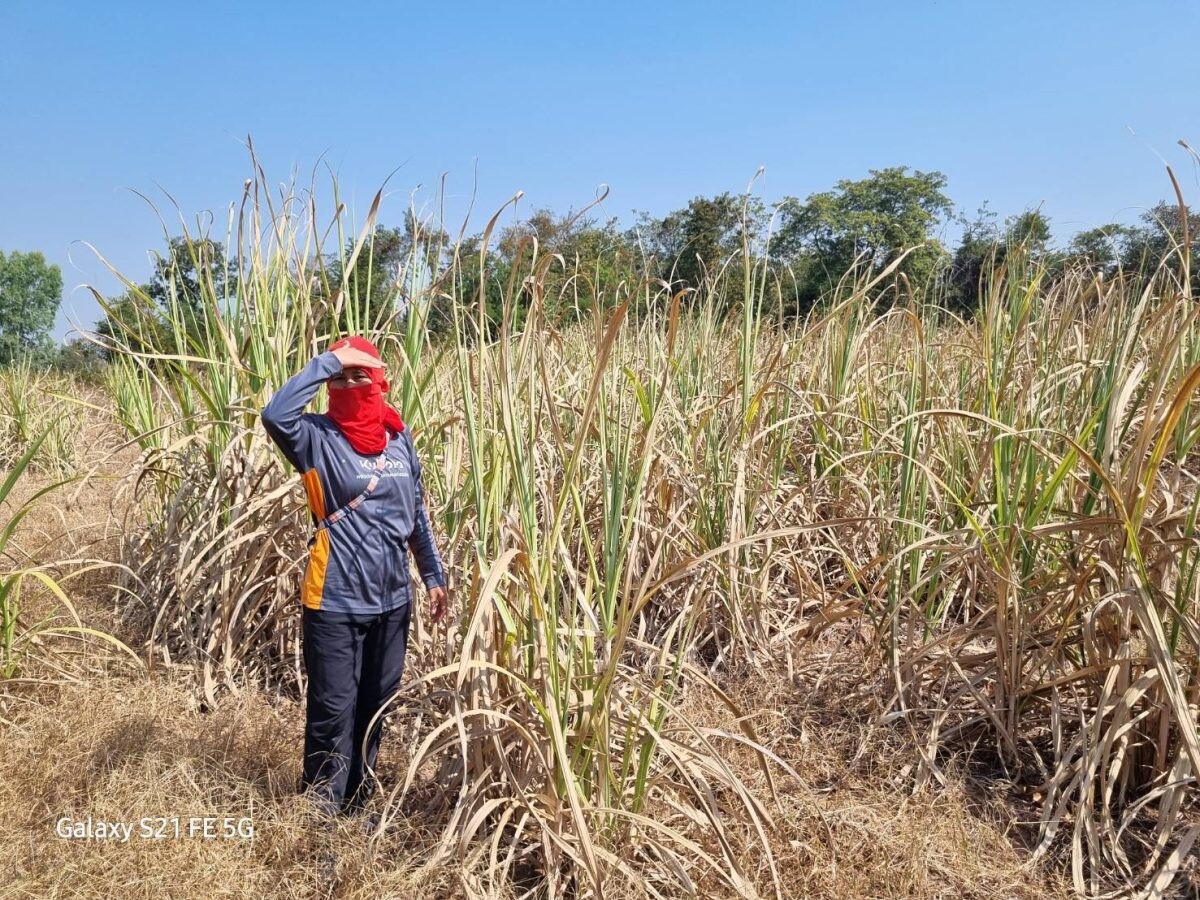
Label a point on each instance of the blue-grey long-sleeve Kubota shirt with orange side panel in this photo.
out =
(359, 565)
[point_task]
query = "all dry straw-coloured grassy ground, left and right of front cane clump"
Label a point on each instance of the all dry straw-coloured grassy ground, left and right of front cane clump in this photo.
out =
(121, 746)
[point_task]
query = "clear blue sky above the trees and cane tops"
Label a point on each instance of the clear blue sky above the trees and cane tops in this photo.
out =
(1070, 105)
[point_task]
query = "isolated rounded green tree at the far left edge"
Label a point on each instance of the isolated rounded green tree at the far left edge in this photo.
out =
(31, 293)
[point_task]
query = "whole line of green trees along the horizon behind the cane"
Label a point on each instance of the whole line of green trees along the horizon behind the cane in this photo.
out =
(893, 214)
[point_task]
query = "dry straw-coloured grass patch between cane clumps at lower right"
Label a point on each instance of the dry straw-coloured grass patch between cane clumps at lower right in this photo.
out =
(851, 825)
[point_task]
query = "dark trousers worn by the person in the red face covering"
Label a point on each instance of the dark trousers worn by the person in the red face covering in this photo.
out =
(355, 664)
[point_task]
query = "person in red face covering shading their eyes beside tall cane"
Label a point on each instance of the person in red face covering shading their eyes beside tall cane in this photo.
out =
(363, 482)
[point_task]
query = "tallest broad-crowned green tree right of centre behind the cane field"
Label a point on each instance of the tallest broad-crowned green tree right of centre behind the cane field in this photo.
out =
(869, 221)
